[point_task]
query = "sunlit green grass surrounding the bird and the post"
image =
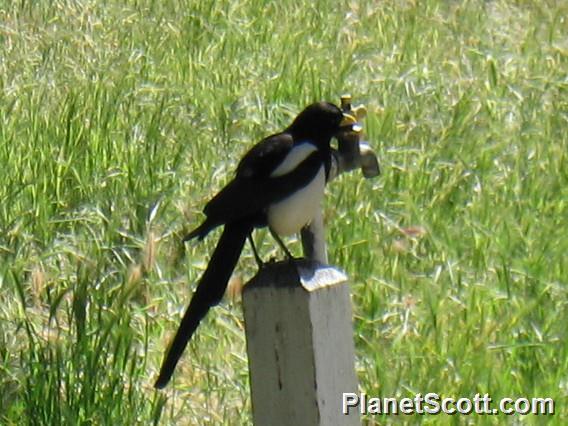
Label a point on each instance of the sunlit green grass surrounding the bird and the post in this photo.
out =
(119, 119)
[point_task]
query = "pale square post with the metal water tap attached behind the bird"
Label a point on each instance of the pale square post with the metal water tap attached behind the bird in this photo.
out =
(299, 328)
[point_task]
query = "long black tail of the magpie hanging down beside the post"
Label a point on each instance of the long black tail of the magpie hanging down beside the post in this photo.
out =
(209, 293)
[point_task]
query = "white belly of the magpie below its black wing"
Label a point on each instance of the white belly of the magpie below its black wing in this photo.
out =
(293, 213)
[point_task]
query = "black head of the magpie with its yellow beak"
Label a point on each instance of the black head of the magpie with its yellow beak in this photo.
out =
(319, 121)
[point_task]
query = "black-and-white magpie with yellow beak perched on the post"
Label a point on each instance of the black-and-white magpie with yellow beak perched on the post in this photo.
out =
(279, 183)
